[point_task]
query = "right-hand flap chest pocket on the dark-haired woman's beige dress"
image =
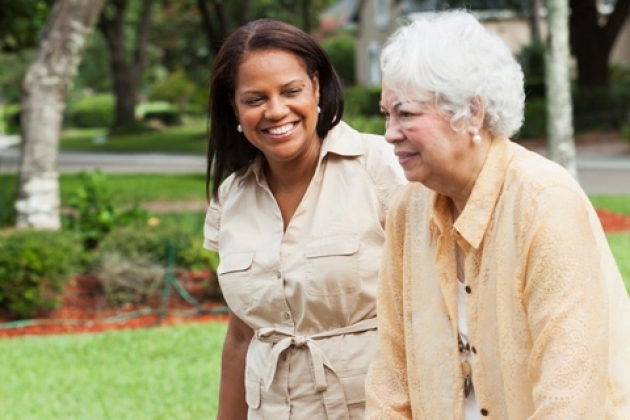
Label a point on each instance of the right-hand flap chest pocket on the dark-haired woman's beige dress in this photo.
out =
(332, 265)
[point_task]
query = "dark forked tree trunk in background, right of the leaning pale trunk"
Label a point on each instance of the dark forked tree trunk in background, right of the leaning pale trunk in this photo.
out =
(126, 73)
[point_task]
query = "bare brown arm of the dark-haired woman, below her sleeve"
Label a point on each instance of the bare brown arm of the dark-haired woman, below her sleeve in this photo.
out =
(232, 405)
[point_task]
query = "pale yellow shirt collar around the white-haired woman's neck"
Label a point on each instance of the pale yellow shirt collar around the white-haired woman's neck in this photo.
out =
(473, 222)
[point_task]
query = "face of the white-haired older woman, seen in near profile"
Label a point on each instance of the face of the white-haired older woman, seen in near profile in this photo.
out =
(428, 148)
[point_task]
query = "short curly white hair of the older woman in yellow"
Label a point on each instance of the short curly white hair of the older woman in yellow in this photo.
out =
(451, 59)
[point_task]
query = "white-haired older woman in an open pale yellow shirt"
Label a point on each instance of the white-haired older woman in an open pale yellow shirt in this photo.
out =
(499, 297)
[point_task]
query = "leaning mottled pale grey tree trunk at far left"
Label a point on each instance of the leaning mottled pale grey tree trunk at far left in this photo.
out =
(44, 88)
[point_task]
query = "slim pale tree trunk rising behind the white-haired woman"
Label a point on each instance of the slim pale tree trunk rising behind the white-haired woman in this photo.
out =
(560, 142)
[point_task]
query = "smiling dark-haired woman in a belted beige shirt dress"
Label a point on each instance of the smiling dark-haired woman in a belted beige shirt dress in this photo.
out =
(298, 222)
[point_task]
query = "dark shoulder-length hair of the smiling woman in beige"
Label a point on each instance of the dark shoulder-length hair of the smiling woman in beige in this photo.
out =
(228, 150)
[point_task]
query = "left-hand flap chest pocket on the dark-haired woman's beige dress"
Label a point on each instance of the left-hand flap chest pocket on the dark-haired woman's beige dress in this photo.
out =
(235, 278)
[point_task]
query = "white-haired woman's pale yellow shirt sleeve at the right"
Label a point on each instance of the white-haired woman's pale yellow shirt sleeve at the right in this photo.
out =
(565, 299)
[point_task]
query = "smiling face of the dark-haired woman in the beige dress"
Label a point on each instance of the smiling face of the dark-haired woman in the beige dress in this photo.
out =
(275, 102)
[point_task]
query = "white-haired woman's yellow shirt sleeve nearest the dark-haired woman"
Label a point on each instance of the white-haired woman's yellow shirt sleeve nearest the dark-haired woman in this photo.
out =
(387, 395)
